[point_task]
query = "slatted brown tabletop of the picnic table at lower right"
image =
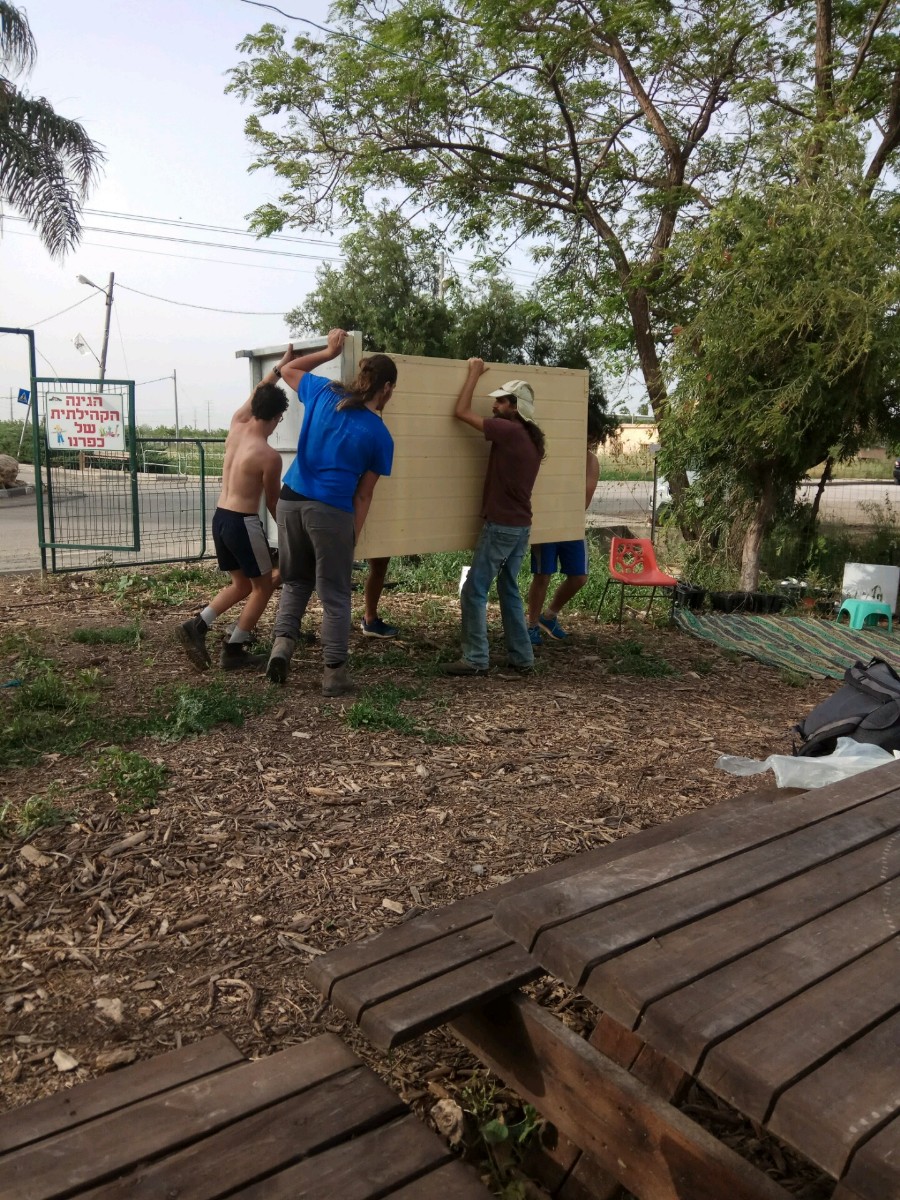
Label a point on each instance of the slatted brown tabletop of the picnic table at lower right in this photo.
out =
(760, 957)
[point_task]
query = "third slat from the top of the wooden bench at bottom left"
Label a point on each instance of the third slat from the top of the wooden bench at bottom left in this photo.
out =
(259, 1147)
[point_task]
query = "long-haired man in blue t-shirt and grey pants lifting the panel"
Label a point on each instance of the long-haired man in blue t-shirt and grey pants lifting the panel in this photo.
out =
(343, 452)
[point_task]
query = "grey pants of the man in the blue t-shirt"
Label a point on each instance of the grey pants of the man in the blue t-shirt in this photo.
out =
(316, 544)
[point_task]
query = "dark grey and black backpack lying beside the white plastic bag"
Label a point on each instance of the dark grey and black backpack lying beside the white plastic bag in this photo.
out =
(867, 709)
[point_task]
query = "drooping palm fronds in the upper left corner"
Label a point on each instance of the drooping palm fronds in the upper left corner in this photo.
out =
(47, 163)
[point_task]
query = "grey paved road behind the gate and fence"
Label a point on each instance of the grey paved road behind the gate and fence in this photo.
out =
(170, 515)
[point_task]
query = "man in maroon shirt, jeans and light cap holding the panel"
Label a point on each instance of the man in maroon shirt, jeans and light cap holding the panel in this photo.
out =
(517, 454)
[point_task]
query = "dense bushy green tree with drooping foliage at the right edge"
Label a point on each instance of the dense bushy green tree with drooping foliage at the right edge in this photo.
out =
(793, 356)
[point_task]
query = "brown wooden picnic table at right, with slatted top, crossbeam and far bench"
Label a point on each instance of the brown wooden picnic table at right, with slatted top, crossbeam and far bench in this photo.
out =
(752, 946)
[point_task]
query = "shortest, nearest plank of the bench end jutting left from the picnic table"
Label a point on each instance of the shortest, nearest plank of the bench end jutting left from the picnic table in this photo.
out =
(441, 1000)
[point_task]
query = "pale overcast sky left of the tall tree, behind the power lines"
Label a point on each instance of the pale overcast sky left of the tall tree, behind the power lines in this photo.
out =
(147, 82)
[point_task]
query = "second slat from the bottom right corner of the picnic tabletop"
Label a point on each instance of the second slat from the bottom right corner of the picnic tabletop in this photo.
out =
(827, 1113)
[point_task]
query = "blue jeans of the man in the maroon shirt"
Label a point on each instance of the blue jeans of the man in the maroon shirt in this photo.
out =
(499, 556)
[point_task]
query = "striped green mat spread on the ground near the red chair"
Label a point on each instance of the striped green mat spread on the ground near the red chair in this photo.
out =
(806, 645)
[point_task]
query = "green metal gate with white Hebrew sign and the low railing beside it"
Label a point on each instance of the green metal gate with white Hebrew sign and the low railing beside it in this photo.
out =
(109, 496)
